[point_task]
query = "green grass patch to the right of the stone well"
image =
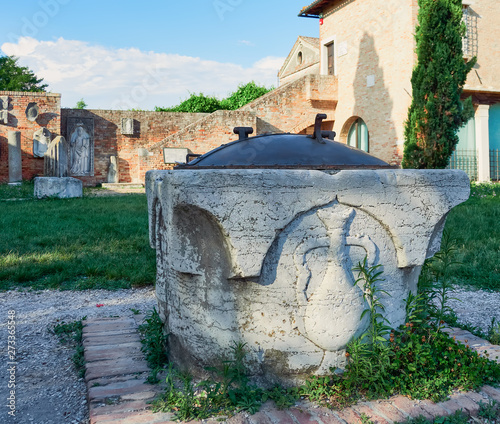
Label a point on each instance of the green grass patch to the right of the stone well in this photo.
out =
(475, 228)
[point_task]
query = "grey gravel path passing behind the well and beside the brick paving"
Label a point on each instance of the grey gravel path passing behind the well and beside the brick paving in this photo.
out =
(48, 390)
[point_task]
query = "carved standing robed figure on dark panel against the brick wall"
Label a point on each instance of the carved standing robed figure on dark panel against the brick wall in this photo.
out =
(81, 146)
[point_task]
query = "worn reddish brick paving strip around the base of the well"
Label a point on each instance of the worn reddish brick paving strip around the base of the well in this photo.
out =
(118, 392)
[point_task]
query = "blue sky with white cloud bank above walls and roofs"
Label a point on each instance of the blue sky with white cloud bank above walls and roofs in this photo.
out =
(140, 54)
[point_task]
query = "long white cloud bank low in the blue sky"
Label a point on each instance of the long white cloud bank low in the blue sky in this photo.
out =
(130, 78)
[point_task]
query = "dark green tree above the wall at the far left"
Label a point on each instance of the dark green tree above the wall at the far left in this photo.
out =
(18, 78)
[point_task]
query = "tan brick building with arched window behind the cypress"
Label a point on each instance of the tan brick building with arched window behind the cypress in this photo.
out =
(369, 48)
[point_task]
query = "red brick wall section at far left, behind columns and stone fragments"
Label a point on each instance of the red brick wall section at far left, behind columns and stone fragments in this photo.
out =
(49, 117)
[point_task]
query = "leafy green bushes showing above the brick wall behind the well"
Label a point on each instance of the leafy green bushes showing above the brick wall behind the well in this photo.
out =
(206, 104)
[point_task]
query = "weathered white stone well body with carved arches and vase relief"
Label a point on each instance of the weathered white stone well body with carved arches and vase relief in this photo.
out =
(266, 257)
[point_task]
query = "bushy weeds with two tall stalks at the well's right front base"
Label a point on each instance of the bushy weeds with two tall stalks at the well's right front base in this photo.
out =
(418, 359)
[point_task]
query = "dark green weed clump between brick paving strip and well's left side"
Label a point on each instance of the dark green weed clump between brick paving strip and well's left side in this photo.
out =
(154, 344)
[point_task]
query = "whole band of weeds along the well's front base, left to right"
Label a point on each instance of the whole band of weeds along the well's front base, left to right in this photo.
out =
(418, 359)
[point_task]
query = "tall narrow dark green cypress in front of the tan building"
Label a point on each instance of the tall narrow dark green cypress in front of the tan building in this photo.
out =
(436, 112)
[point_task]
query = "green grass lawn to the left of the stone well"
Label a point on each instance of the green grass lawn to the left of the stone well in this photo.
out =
(99, 242)
